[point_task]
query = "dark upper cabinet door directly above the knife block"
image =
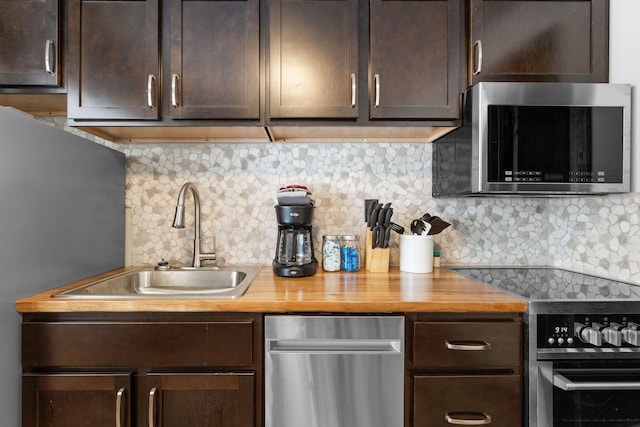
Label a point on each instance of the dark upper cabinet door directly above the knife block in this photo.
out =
(415, 65)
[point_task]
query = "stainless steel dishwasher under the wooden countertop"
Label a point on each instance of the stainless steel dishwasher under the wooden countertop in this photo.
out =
(334, 371)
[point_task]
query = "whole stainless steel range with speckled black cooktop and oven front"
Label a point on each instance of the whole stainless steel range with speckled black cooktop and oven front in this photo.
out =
(582, 346)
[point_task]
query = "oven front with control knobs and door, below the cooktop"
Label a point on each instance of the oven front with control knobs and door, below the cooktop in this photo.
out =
(587, 370)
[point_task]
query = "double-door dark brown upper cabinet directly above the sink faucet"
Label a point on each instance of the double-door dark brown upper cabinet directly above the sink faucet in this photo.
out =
(212, 57)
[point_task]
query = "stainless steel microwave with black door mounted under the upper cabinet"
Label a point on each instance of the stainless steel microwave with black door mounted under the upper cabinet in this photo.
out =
(537, 139)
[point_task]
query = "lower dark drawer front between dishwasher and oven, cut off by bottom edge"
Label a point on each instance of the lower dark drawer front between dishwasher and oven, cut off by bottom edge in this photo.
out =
(445, 400)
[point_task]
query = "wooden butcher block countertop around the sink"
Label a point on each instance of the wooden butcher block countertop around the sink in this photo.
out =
(341, 292)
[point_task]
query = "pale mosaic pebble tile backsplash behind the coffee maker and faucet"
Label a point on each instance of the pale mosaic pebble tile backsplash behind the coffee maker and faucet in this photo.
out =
(597, 235)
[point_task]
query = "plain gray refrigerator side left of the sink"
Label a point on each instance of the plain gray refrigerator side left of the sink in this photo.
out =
(61, 219)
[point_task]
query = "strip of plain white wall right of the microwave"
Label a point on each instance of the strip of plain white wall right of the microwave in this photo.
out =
(624, 67)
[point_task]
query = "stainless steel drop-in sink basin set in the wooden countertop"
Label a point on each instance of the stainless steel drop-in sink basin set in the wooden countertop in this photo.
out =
(214, 282)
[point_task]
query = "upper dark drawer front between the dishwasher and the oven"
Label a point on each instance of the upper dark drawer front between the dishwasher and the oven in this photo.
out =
(474, 345)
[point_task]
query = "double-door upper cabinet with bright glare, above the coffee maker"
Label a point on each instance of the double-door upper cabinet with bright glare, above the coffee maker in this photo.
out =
(413, 50)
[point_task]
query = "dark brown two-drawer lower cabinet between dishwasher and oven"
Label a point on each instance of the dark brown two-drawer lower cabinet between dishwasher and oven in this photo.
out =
(464, 369)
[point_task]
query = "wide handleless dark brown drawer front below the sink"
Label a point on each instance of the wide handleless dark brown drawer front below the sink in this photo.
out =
(154, 344)
